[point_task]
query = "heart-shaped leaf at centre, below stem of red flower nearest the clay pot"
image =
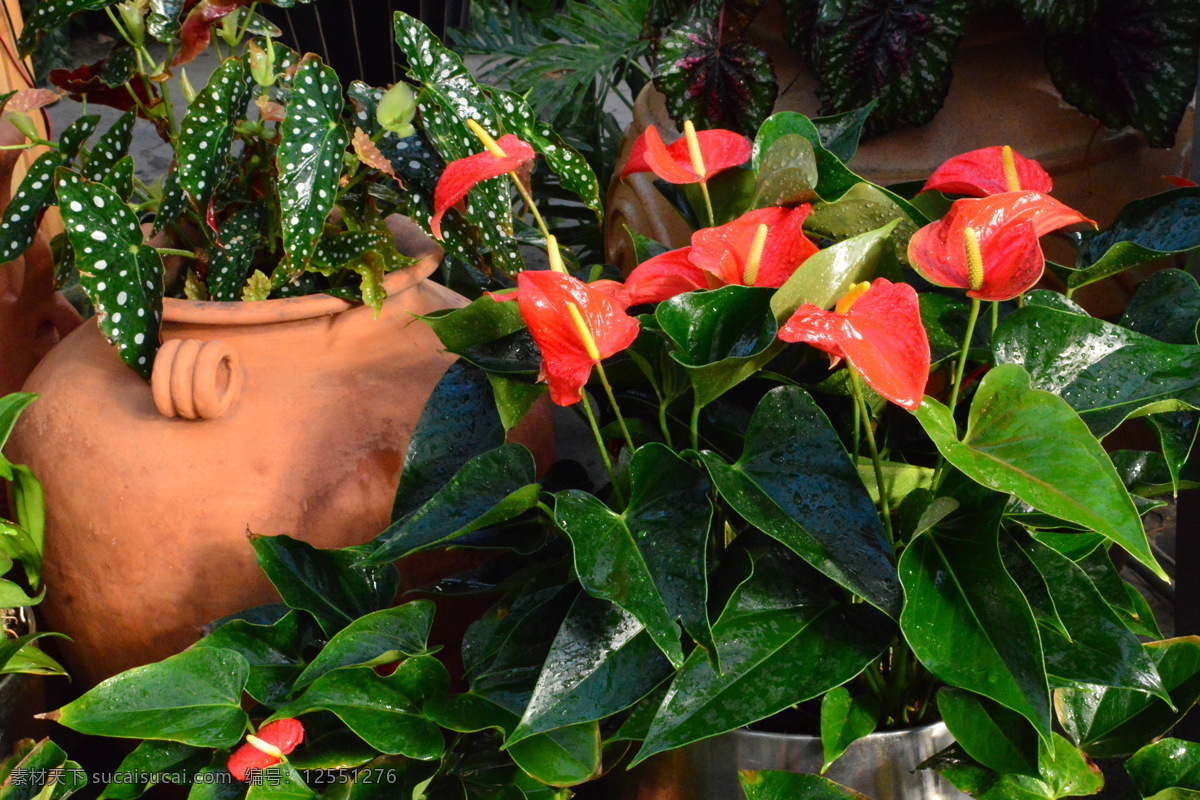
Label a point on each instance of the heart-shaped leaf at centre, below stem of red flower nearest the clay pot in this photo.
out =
(650, 560)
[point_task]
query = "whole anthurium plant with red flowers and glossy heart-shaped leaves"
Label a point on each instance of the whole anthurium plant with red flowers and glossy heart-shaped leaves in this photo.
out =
(843, 470)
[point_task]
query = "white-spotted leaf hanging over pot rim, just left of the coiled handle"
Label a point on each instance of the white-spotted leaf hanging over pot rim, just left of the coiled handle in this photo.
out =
(122, 275)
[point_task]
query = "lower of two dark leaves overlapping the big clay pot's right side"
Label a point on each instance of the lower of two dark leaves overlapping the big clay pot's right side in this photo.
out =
(490, 489)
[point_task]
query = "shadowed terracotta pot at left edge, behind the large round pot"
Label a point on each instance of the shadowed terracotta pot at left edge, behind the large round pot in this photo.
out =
(34, 317)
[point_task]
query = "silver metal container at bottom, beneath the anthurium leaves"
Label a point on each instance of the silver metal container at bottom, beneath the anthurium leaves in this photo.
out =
(883, 766)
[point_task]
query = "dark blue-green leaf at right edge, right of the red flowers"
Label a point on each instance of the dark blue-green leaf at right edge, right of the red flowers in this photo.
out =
(1145, 231)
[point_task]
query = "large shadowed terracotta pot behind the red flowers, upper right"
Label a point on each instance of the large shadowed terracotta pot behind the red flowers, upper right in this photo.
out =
(1001, 94)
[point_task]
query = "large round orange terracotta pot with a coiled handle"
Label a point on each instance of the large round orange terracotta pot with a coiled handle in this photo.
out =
(283, 417)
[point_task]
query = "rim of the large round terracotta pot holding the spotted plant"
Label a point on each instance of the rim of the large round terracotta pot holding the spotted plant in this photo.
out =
(286, 310)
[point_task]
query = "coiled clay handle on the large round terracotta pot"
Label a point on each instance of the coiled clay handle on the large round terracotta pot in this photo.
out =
(196, 380)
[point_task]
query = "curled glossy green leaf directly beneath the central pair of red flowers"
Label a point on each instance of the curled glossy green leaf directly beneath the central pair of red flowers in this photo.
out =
(722, 338)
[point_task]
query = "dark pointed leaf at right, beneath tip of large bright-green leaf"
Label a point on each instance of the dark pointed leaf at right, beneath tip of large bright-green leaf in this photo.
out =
(1100, 649)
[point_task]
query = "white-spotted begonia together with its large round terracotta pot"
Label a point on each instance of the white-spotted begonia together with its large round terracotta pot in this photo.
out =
(266, 288)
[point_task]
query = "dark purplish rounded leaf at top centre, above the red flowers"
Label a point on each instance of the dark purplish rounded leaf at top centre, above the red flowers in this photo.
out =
(713, 82)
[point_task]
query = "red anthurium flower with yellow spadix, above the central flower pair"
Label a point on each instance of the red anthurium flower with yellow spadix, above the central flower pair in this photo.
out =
(697, 157)
